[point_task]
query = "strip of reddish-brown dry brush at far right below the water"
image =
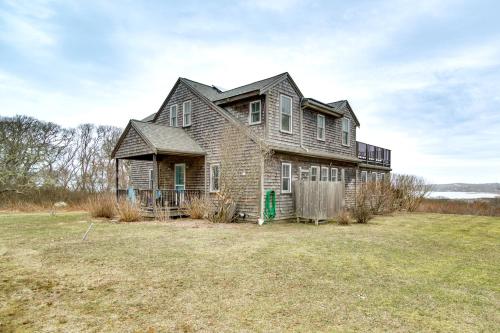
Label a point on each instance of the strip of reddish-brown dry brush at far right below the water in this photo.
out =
(485, 207)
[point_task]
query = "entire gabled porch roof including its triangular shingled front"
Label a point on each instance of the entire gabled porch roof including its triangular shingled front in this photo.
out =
(140, 138)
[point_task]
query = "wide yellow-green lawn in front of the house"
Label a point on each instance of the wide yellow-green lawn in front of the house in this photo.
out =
(419, 272)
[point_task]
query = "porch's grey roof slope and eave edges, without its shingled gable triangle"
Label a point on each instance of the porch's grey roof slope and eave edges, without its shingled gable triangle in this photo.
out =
(162, 139)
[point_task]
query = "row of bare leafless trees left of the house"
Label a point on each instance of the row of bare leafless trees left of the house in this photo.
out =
(37, 155)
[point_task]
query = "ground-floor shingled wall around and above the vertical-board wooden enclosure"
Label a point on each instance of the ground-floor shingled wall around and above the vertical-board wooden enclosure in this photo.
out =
(284, 201)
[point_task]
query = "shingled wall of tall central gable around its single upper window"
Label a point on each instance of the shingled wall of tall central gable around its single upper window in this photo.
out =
(274, 116)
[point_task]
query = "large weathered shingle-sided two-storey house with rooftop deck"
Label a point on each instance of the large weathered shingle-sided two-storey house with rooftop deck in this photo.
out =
(178, 149)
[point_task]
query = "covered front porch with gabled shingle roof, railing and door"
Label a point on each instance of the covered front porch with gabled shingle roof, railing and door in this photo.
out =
(167, 168)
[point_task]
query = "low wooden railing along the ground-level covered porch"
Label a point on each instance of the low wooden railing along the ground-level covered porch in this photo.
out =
(162, 197)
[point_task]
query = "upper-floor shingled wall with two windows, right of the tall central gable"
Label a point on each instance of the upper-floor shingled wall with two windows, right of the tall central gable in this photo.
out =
(333, 134)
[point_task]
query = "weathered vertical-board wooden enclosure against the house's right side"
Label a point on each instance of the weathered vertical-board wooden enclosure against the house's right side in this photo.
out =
(317, 201)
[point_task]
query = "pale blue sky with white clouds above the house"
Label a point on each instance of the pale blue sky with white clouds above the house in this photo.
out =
(423, 77)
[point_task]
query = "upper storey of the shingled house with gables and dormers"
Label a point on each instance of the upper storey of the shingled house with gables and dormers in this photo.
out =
(274, 109)
